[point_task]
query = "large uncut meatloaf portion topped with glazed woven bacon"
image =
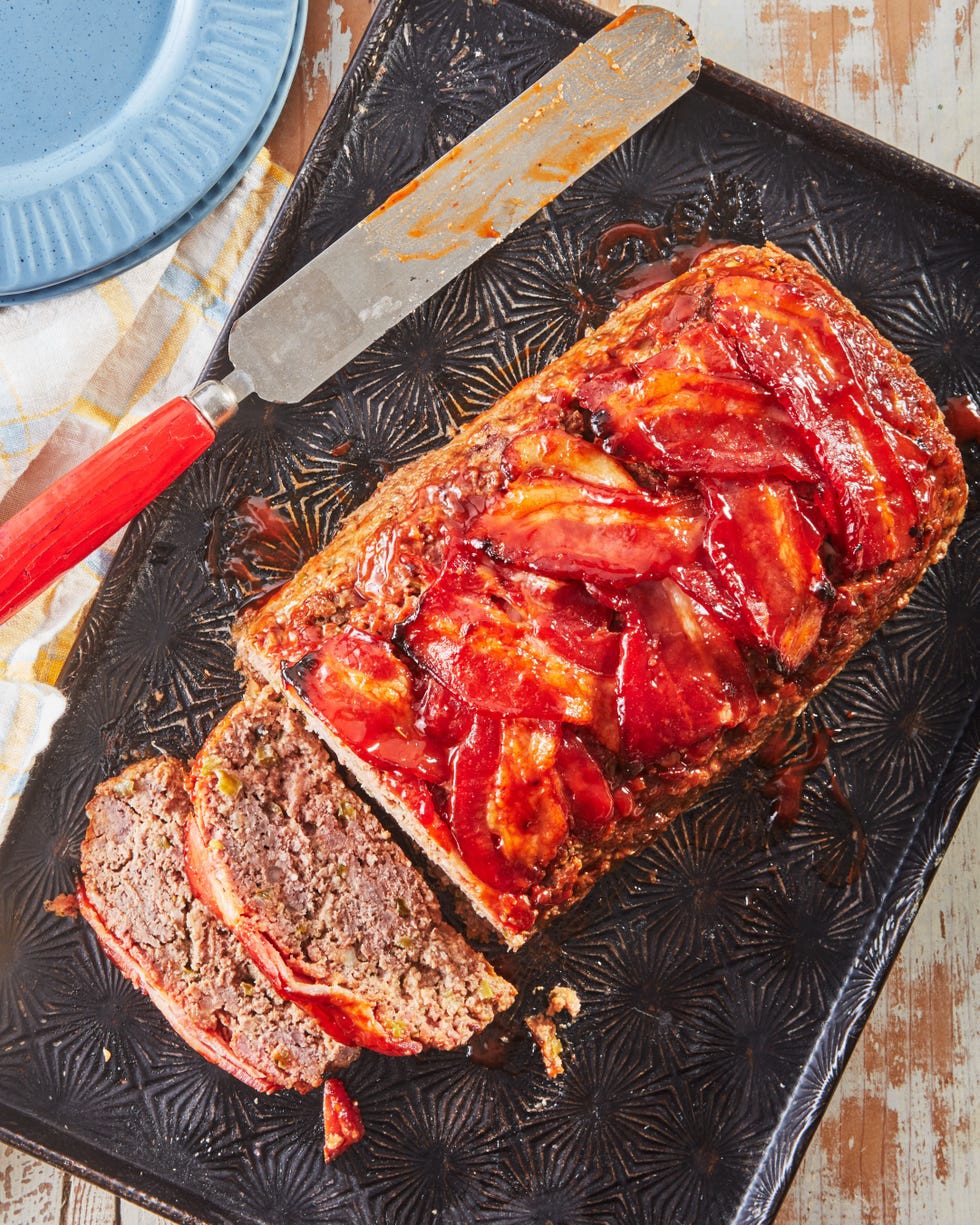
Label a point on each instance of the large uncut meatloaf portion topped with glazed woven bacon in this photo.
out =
(536, 645)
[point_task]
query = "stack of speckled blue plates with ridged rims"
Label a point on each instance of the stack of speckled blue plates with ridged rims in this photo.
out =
(126, 124)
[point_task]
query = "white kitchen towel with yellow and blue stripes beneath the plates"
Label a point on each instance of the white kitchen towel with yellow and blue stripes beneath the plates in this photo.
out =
(73, 372)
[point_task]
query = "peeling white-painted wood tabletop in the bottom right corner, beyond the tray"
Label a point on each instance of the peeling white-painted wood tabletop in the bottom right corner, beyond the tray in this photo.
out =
(900, 1144)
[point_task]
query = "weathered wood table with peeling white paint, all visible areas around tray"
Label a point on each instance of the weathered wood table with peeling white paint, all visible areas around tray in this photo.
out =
(899, 1145)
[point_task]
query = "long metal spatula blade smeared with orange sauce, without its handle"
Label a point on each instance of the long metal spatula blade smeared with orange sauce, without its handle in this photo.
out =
(465, 204)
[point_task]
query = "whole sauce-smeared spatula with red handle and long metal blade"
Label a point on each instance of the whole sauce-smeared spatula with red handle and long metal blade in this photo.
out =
(369, 280)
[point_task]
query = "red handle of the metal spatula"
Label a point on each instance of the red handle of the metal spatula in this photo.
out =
(92, 502)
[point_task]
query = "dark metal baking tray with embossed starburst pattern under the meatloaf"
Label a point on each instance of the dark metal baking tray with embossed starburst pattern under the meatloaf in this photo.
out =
(727, 972)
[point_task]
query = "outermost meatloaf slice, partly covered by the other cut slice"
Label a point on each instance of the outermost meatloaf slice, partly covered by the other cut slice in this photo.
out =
(137, 899)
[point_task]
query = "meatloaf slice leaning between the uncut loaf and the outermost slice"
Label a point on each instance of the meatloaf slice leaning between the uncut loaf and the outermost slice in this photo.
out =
(324, 901)
